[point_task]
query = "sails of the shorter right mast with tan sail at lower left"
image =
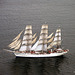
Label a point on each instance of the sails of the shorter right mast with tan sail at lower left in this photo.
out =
(57, 39)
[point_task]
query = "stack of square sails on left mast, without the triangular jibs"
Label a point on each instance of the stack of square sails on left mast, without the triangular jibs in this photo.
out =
(27, 39)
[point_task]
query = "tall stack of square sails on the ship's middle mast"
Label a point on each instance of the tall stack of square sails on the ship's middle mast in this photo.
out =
(42, 42)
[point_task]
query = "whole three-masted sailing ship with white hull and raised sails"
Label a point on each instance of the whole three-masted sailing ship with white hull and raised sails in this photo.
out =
(45, 46)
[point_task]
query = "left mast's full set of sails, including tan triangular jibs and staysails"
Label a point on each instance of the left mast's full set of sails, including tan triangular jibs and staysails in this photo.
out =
(24, 44)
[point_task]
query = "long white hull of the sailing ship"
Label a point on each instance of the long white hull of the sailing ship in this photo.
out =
(39, 55)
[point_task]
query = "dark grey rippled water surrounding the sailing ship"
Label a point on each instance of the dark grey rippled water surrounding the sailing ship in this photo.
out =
(16, 14)
